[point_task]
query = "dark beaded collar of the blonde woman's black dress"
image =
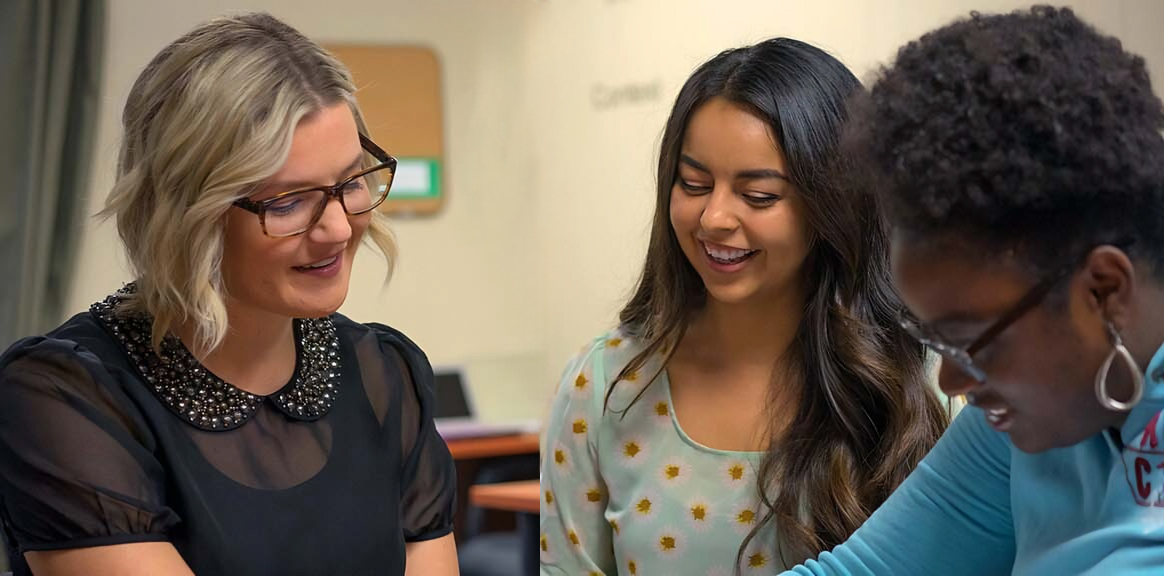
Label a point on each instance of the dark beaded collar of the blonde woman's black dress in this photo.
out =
(205, 401)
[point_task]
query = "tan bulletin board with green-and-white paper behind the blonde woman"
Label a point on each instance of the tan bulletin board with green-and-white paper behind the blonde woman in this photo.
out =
(400, 93)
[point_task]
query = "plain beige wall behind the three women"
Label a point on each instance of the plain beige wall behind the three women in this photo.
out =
(553, 115)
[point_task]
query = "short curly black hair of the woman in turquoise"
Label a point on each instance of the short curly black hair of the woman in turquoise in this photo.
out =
(1028, 132)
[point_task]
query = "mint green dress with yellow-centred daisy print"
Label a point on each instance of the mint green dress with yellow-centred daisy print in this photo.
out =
(634, 495)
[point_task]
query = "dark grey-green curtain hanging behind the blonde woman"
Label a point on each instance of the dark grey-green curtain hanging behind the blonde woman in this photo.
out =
(51, 72)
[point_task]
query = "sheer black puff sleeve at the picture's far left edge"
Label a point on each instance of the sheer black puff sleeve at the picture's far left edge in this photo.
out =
(77, 461)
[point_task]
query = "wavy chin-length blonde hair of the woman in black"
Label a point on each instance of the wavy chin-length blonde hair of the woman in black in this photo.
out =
(207, 123)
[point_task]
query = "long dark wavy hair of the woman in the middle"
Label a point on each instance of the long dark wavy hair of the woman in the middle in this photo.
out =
(867, 414)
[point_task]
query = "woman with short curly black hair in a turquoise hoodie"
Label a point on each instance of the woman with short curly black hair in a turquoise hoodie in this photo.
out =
(1024, 169)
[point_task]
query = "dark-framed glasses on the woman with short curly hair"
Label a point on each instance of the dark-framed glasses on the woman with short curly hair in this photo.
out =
(964, 357)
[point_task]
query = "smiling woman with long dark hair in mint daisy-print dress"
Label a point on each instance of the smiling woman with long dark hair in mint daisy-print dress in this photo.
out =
(760, 397)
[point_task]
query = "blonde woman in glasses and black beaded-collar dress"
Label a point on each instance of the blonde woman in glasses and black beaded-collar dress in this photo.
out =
(217, 416)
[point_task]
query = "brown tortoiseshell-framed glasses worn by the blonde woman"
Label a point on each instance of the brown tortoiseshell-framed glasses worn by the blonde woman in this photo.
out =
(295, 212)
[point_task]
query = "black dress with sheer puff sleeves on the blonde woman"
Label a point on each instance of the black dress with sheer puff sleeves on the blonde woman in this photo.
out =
(104, 443)
